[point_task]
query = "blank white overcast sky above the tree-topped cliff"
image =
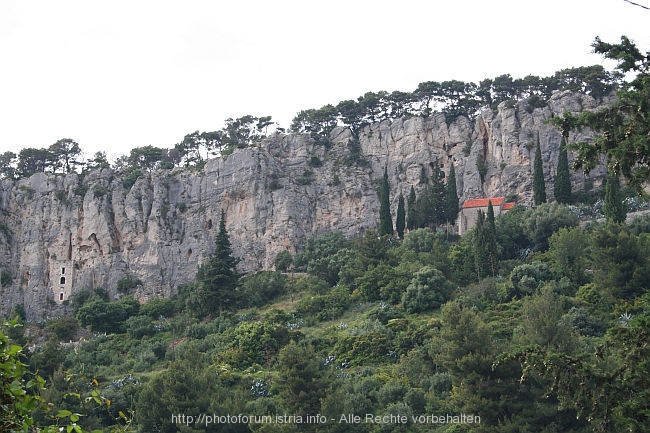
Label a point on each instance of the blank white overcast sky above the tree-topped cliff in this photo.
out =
(114, 75)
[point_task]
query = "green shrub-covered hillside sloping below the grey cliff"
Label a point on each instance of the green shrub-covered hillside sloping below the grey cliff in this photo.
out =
(549, 334)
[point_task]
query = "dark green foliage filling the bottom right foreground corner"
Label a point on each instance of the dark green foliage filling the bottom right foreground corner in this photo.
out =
(609, 386)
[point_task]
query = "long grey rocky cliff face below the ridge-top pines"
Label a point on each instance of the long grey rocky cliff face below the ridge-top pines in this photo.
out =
(275, 196)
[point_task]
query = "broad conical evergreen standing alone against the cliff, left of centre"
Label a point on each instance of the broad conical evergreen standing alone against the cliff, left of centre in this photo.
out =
(217, 278)
